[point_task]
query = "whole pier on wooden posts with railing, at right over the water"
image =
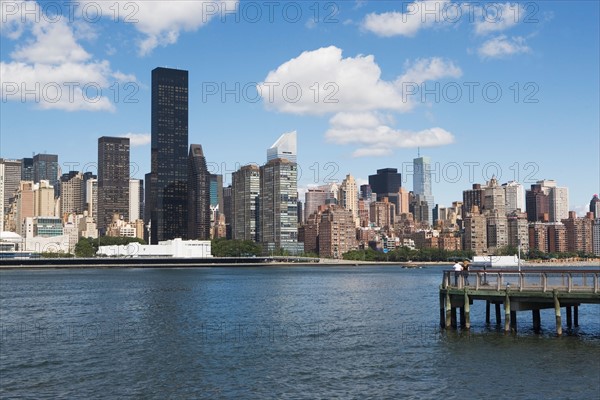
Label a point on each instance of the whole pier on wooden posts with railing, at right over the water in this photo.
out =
(527, 290)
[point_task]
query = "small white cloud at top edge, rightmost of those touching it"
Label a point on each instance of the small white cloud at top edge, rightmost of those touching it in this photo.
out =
(497, 17)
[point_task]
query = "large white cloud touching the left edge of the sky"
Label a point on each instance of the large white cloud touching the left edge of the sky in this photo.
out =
(50, 67)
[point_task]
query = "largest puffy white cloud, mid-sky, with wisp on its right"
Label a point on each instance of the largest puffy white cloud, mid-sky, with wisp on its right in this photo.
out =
(319, 82)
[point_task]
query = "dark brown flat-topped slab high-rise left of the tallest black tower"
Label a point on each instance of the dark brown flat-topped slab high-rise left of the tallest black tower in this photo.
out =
(113, 180)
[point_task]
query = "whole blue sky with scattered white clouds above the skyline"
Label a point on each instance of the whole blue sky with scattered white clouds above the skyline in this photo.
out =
(482, 88)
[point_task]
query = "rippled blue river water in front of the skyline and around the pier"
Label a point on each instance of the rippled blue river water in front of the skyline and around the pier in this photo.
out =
(277, 332)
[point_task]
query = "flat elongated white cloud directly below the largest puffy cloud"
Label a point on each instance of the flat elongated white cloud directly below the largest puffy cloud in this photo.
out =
(375, 137)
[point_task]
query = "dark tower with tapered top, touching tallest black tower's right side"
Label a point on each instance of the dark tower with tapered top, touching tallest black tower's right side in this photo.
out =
(198, 186)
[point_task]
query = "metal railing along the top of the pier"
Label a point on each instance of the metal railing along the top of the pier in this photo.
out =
(570, 281)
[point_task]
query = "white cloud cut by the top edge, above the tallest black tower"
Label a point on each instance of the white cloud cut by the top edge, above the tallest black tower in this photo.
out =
(161, 22)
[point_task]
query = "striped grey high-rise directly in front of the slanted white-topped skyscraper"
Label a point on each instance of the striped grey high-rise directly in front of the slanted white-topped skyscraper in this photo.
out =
(278, 205)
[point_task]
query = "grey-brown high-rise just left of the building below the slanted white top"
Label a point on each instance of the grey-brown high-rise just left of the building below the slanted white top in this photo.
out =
(245, 190)
